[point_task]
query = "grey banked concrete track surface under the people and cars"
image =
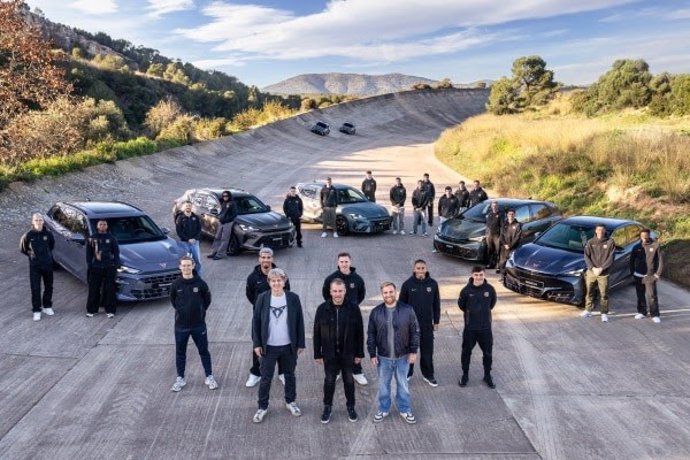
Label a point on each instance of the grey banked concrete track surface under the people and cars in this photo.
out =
(567, 388)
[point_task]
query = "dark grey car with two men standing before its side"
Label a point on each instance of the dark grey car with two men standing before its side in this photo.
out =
(464, 236)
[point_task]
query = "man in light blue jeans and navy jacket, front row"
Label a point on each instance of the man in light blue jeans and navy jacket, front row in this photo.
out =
(392, 342)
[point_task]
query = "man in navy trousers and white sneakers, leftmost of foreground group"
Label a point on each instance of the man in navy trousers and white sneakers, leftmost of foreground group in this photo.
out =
(190, 297)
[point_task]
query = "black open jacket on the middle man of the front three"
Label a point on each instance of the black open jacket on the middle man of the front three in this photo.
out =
(344, 321)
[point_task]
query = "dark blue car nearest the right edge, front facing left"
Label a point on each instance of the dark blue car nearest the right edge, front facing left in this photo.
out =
(552, 267)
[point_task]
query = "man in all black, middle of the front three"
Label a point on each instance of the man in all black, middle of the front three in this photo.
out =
(338, 344)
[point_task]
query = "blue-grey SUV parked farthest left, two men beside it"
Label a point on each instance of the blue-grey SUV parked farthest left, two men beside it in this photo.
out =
(149, 257)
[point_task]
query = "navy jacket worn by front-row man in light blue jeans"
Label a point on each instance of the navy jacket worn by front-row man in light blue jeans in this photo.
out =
(404, 324)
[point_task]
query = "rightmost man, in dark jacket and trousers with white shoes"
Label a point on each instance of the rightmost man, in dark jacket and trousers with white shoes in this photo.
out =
(646, 265)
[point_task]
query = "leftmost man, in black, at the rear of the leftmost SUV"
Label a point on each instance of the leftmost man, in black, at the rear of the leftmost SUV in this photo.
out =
(38, 244)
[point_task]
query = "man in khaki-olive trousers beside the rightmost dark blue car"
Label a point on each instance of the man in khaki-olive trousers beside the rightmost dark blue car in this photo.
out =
(599, 258)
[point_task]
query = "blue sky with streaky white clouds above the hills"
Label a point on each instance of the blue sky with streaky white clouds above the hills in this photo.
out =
(263, 42)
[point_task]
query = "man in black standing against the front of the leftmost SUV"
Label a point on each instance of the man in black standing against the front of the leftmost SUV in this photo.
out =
(102, 261)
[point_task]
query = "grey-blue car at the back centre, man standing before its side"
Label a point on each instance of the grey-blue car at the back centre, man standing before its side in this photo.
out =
(354, 213)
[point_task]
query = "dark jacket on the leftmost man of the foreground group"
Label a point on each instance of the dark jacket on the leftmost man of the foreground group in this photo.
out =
(190, 298)
